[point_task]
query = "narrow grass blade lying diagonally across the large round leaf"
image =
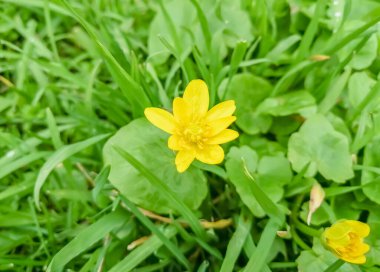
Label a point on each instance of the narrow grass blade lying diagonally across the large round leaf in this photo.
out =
(165, 191)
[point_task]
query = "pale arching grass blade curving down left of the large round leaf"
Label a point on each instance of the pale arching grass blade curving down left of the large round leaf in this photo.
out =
(59, 156)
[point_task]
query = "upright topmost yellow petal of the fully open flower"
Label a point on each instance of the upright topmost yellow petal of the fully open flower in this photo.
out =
(196, 95)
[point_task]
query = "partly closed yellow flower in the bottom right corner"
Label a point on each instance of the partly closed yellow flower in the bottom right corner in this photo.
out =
(345, 240)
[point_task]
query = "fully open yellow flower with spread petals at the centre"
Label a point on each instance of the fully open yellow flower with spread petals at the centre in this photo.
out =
(196, 132)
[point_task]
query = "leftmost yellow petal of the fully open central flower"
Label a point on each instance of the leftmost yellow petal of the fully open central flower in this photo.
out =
(161, 119)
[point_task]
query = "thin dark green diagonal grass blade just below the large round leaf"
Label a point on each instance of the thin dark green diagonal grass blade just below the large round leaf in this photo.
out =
(147, 223)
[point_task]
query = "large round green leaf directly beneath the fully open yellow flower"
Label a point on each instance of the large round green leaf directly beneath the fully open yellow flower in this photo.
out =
(149, 146)
